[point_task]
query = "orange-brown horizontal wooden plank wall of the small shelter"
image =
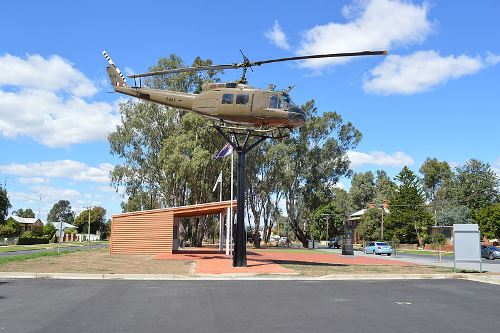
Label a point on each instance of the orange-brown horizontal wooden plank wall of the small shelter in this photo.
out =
(148, 233)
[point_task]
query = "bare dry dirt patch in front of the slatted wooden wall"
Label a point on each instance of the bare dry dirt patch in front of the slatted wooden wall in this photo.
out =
(99, 261)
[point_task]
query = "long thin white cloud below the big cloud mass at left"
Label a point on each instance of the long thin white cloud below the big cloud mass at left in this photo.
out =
(60, 169)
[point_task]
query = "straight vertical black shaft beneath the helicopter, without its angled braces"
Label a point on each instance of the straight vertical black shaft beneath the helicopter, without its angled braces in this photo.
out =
(240, 249)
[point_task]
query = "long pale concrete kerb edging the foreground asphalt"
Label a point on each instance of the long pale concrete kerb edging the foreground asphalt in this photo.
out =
(491, 279)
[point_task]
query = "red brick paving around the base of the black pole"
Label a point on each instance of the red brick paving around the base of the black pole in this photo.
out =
(210, 261)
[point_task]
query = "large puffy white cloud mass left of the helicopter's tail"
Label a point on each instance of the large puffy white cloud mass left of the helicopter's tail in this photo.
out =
(44, 99)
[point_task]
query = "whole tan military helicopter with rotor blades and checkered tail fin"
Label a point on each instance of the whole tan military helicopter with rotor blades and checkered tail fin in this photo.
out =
(230, 103)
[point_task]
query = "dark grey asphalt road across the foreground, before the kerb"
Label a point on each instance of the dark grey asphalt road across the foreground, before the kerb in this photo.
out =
(38, 305)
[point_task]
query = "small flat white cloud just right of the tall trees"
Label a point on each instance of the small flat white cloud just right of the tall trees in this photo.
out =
(380, 158)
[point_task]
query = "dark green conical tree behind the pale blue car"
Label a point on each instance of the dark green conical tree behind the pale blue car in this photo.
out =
(409, 219)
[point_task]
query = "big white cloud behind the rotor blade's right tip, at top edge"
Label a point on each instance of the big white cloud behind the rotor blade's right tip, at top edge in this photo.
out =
(373, 25)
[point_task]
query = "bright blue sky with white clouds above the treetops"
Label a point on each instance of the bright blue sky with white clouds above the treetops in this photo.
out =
(435, 95)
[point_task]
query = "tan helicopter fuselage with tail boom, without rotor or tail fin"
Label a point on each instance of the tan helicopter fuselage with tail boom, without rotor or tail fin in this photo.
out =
(231, 103)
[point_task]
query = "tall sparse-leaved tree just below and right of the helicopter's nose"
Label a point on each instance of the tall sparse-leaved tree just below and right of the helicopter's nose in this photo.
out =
(312, 160)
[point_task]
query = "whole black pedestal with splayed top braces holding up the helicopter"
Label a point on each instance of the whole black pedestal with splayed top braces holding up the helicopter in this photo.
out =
(240, 249)
